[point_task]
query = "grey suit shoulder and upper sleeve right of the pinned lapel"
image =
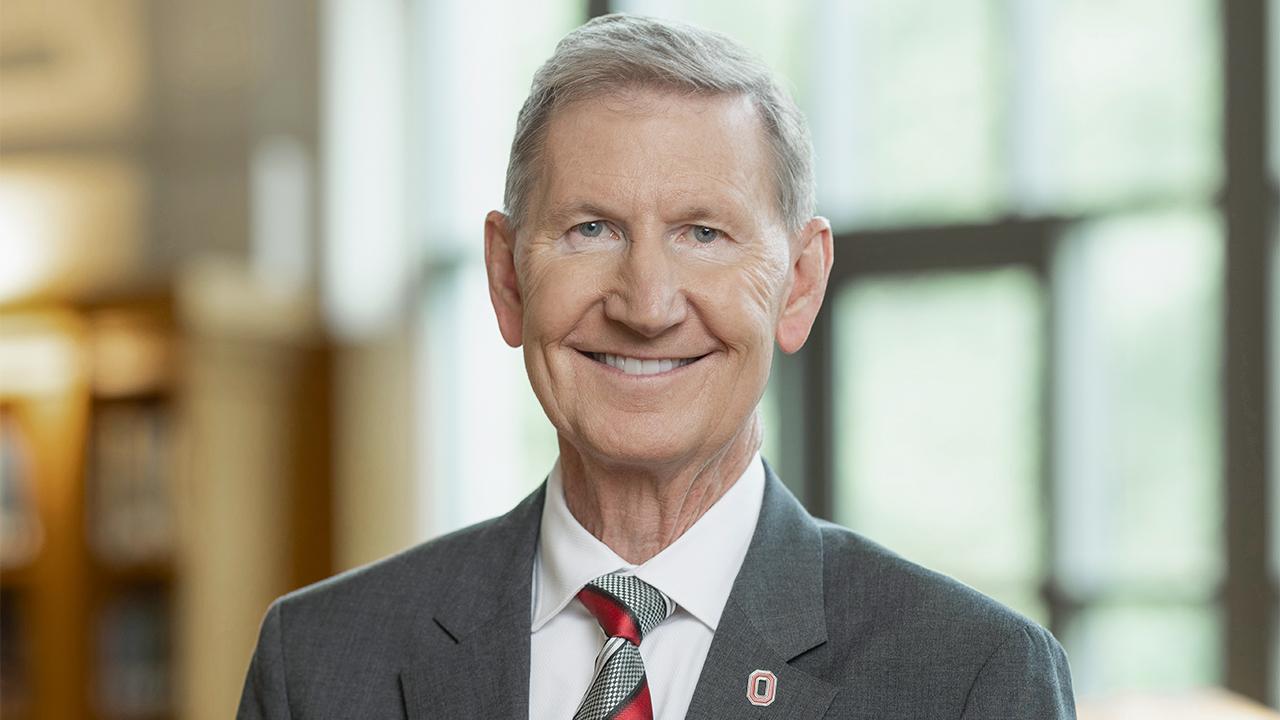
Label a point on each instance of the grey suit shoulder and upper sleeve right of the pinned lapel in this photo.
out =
(926, 645)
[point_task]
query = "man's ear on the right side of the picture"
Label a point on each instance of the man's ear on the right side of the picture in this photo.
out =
(811, 268)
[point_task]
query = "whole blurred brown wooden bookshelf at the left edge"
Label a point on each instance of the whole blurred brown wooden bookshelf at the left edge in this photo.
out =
(86, 500)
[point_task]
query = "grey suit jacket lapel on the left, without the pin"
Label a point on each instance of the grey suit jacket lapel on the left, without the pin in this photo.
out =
(470, 658)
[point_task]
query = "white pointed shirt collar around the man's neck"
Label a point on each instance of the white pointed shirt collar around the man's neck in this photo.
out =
(697, 571)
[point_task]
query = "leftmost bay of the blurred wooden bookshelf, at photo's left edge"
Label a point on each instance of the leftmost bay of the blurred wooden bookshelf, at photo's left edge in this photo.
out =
(44, 575)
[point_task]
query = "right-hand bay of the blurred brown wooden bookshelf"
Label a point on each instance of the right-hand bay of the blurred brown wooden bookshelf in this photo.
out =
(130, 508)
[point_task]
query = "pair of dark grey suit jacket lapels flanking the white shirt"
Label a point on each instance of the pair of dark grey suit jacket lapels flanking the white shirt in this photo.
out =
(470, 658)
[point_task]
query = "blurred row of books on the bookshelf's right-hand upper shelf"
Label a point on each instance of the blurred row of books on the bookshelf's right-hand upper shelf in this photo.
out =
(129, 490)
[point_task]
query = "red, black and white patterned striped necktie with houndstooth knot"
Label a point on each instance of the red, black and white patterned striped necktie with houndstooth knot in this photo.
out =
(628, 609)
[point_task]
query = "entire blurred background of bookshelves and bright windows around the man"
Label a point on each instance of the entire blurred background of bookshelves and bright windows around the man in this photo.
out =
(246, 341)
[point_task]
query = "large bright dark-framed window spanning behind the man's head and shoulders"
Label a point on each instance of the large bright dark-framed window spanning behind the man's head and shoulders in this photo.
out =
(1018, 377)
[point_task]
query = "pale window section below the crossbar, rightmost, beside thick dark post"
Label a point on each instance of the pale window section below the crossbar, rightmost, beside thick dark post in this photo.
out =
(1139, 445)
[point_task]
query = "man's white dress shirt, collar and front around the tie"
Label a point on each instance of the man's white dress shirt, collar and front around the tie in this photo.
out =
(697, 572)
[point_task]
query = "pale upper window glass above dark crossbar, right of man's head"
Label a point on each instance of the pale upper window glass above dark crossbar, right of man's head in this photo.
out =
(926, 112)
